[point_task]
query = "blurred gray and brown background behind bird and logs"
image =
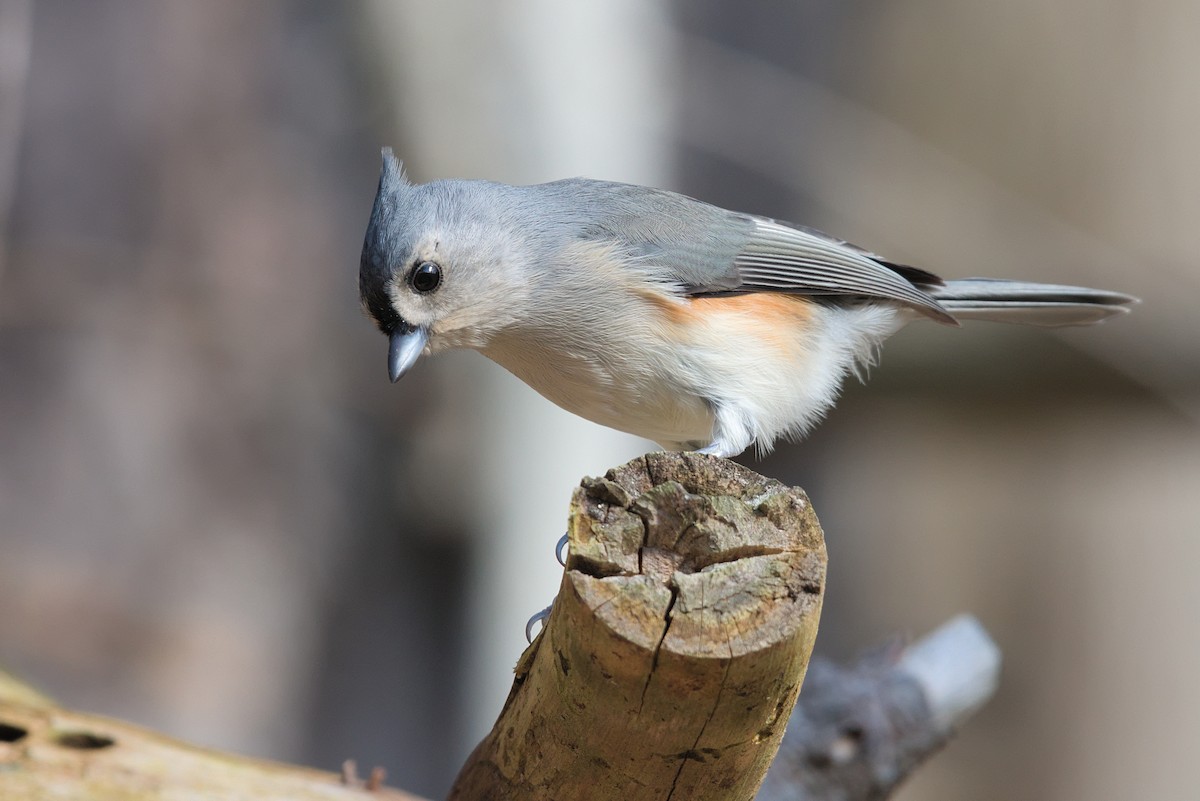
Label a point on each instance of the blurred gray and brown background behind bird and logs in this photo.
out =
(218, 519)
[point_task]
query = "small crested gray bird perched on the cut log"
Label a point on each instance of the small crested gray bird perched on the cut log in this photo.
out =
(655, 314)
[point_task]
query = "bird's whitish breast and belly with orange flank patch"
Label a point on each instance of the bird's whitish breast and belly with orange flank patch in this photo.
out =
(772, 363)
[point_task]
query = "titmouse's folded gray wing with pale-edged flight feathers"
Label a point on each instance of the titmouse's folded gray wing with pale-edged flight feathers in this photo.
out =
(711, 251)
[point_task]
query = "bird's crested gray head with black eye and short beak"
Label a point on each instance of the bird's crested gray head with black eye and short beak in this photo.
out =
(440, 263)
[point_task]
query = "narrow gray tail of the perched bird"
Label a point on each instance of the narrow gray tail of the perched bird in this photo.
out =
(1029, 304)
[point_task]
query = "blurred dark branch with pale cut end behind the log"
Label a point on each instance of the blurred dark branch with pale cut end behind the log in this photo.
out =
(860, 731)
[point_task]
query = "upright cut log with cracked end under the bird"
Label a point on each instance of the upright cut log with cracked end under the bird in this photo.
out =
(677, 646)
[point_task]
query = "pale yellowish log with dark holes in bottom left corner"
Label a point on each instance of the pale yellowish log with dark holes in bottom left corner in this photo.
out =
(49, 752)
